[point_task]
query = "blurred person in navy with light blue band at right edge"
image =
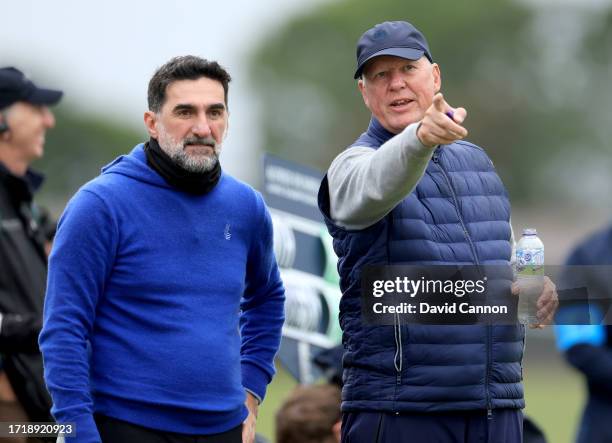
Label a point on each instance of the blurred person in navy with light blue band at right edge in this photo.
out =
(588, 347)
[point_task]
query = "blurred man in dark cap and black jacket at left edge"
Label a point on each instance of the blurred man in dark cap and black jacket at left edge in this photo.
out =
(24, 121)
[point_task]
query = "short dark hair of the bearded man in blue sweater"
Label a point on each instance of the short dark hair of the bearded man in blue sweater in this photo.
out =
(186, 67)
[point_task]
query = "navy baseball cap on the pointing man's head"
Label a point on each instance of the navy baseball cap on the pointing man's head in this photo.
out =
(399, 39)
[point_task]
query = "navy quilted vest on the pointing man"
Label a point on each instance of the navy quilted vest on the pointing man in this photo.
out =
(459, 212)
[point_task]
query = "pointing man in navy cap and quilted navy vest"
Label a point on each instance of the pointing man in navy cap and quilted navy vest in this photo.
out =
(409, 190)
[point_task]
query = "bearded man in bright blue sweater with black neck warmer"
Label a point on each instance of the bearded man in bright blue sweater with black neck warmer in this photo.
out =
(164, 302)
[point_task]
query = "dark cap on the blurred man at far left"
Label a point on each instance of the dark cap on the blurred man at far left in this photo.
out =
(16, 87)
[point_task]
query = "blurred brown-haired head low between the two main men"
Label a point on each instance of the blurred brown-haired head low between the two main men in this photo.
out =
(308, 415)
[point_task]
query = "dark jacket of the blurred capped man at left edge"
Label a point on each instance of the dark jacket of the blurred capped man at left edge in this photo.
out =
(22, 288)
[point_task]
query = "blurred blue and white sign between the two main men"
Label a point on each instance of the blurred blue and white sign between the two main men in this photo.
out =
(307, 263)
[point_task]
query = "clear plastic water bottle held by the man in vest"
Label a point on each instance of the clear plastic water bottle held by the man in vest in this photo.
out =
(530, 275)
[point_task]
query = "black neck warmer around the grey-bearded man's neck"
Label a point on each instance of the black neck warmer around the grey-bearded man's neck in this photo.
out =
(197, 183)
